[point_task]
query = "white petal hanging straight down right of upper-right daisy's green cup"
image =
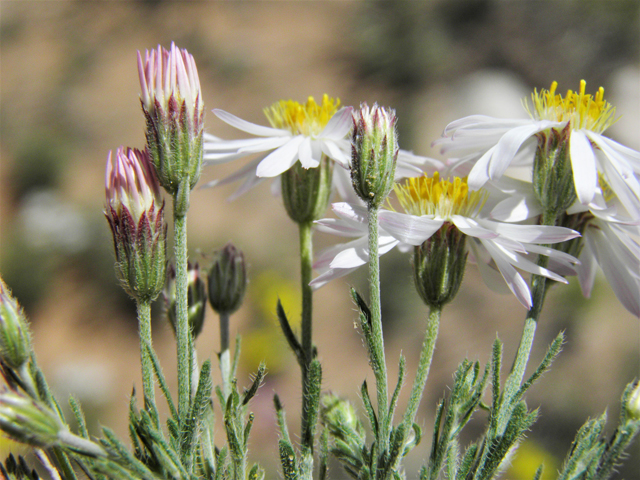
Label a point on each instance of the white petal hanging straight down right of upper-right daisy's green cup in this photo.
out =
(583, 166)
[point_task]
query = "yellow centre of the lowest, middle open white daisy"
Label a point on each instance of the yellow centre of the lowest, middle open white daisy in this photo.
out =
(442, 198)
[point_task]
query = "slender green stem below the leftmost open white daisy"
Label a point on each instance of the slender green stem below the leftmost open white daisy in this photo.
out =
(306, 262)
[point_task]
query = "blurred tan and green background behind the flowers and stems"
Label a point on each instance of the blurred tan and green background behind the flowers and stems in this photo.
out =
(69, 93)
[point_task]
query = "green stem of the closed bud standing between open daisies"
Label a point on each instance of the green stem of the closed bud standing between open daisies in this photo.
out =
(380, 365)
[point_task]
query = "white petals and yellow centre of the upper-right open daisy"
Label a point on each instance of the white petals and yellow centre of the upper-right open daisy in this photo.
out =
(495, 144)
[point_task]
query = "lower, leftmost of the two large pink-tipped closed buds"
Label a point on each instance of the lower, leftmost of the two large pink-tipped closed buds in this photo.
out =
(134, 211)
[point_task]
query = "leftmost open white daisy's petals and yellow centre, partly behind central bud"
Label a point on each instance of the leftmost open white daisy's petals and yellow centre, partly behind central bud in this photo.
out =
(301, 132)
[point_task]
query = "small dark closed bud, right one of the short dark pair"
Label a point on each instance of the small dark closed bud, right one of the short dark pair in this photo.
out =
(227, 280)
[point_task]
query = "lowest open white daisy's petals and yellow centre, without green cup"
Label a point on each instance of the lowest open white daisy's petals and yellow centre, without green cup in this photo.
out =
(431, 203)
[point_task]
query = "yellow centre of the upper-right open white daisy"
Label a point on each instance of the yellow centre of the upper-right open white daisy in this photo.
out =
(583, 111)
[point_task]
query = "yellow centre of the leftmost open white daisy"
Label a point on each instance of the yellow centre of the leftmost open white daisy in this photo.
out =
(307, 119)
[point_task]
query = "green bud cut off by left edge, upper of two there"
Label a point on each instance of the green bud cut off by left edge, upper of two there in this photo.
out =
(15, 340)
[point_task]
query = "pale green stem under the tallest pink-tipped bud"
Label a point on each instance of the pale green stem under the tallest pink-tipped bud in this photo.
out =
(182, 321)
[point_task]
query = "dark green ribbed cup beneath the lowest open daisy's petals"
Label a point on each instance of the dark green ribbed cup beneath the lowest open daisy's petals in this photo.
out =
(439, 265)
